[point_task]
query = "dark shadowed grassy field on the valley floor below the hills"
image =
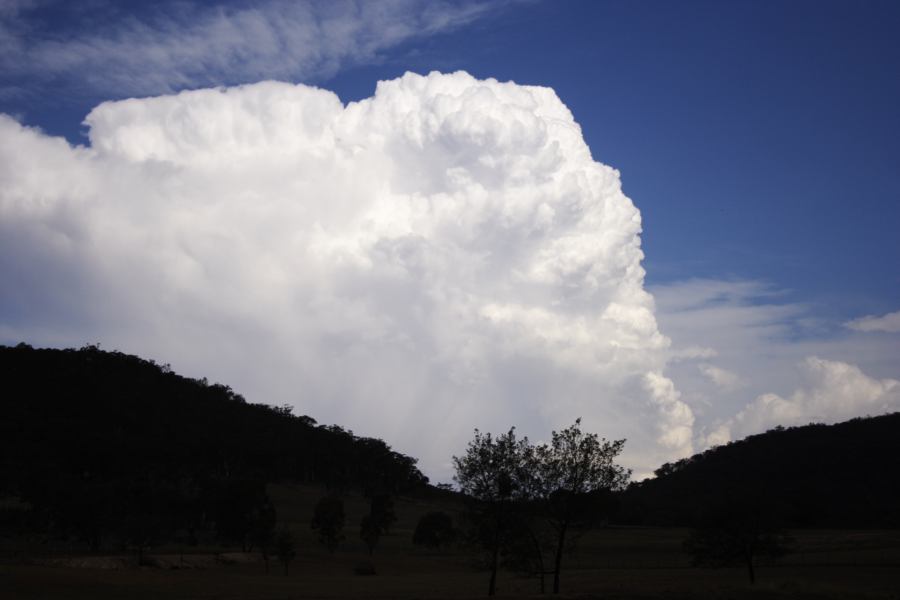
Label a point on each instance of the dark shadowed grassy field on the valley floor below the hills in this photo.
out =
(608, 563)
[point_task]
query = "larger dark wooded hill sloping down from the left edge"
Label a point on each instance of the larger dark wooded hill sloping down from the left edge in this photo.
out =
(99, 444)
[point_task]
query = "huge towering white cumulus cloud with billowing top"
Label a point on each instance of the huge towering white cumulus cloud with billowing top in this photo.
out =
(442, 256)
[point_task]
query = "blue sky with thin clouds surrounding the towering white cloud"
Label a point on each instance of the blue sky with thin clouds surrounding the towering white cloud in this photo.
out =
(759, 140)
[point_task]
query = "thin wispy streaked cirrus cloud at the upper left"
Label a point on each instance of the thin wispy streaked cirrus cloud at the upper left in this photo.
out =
(183, 45)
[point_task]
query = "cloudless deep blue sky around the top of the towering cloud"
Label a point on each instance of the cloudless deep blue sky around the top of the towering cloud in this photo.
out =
(761, 140)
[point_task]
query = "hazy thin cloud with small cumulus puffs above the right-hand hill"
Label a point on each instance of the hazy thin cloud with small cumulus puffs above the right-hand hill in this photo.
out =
(753, 340)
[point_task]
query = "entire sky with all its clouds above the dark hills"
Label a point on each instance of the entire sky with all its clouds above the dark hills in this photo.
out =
(676, 220)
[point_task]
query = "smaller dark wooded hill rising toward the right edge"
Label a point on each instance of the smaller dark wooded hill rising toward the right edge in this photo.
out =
(840, 475)
